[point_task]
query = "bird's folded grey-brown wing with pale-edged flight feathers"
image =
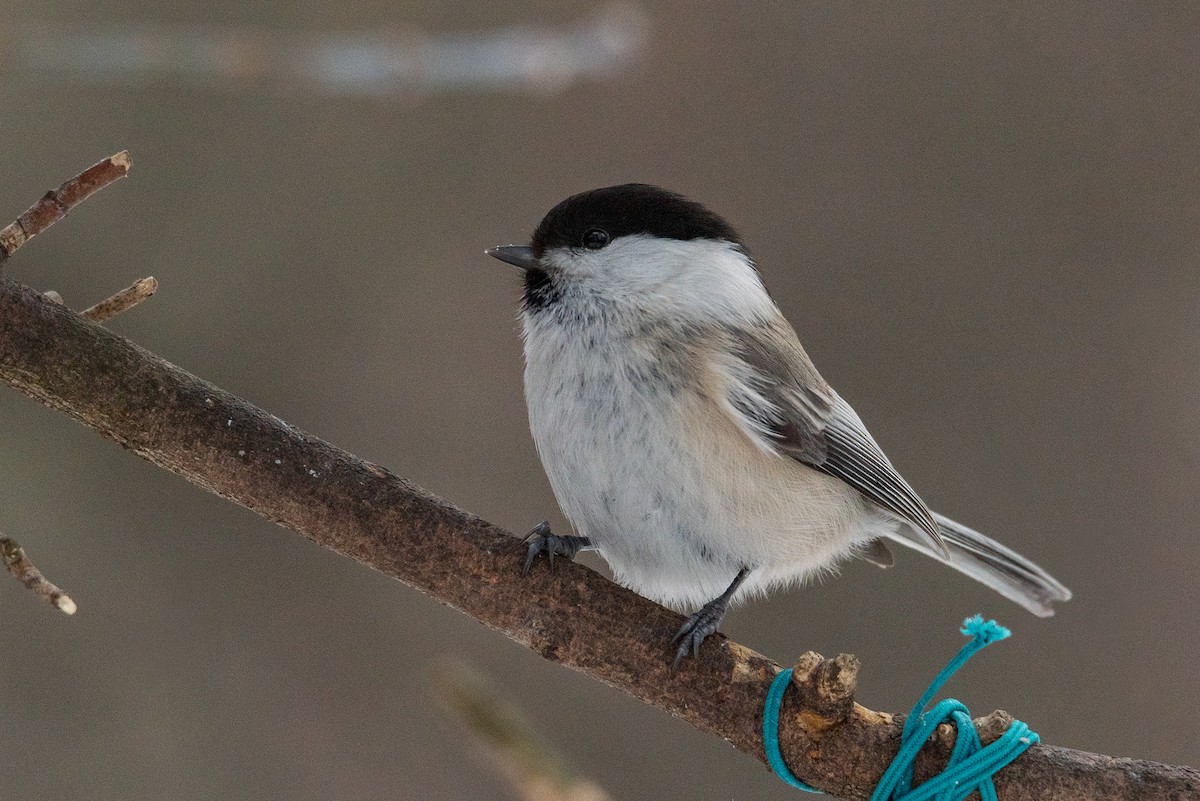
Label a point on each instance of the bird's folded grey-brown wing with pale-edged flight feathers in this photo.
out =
(799, 414)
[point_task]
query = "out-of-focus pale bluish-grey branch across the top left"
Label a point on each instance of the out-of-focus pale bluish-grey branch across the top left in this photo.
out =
(380, 63)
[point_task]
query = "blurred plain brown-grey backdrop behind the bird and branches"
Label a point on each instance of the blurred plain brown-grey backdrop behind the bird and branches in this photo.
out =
(985, 222)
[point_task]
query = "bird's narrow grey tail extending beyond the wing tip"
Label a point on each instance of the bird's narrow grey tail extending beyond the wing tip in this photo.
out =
(986, 561)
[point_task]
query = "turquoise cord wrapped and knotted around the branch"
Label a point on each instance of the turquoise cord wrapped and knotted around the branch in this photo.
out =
(971, 767)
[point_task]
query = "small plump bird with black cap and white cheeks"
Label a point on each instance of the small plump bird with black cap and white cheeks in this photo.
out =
(687, 435)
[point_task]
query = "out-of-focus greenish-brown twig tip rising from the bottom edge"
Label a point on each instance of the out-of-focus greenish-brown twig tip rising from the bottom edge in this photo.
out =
(532, 766)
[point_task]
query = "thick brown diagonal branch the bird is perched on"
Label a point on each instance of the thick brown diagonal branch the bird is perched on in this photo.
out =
(572, 616)
